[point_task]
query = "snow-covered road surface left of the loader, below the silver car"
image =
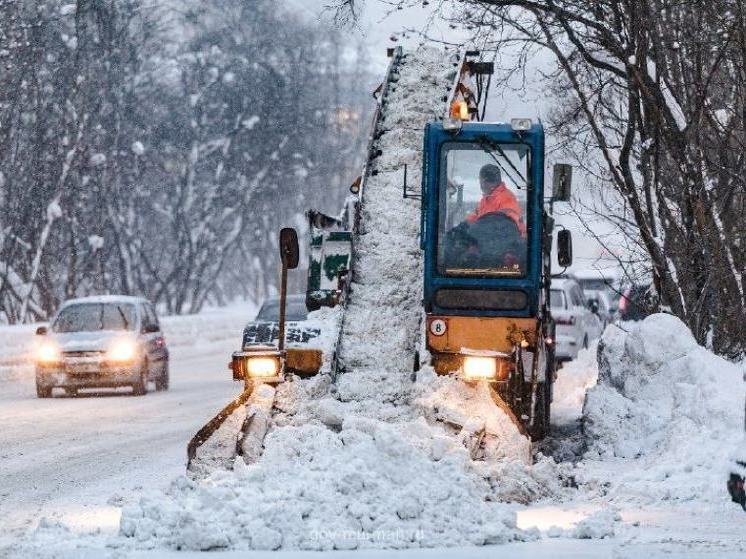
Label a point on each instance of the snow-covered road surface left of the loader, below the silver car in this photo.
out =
(78, 460)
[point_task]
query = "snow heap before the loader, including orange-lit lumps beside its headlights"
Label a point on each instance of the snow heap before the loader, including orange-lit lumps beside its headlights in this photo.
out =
(333, 478)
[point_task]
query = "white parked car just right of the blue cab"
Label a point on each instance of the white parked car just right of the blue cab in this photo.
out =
(576, 324)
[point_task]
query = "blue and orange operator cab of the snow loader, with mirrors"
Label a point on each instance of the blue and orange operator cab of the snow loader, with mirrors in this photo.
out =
(486, 234)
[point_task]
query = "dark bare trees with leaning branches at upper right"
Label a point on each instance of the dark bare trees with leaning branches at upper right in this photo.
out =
(654, 91)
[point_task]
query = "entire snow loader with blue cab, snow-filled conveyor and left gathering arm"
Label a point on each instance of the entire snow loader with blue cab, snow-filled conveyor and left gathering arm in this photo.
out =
(477, 200)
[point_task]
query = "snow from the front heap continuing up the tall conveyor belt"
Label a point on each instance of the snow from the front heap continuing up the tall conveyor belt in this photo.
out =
(362, 462)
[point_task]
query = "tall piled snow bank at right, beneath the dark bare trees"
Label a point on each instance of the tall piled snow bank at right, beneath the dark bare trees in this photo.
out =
(668, 403)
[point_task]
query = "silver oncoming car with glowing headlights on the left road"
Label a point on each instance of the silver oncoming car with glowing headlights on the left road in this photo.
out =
(102, 342)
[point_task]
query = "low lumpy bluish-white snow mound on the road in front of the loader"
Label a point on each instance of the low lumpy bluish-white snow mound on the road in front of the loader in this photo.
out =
(363, 485)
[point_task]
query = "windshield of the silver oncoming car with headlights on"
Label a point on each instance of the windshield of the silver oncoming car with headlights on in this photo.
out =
(92, 317)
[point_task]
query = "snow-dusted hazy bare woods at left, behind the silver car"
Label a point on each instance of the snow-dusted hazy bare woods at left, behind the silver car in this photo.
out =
(153, 151)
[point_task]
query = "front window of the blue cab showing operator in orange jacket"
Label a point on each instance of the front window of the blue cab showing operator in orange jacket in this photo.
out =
(483, 202)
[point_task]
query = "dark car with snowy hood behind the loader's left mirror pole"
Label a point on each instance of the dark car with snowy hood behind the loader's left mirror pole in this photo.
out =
(265, 328)
